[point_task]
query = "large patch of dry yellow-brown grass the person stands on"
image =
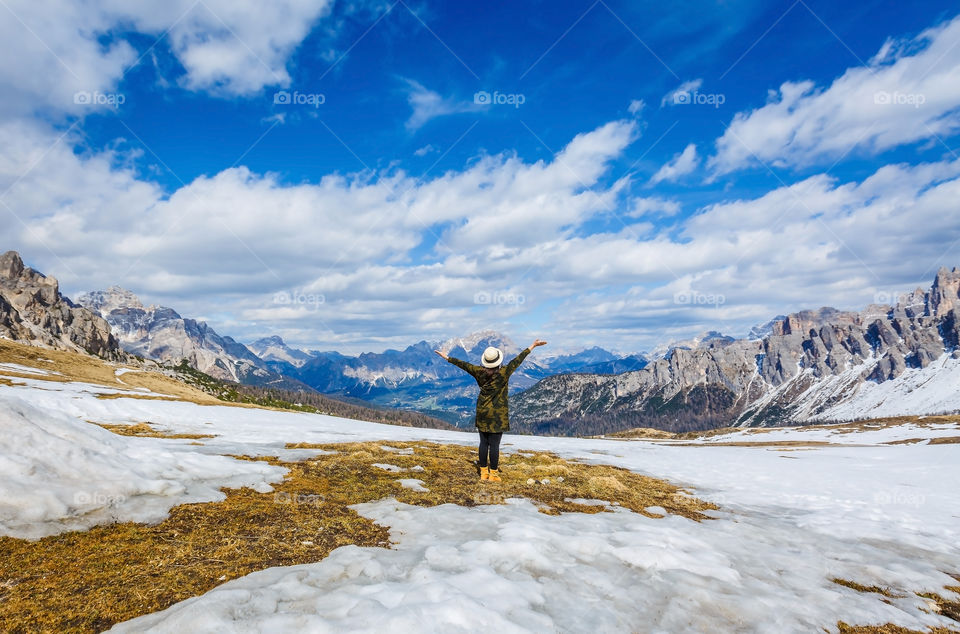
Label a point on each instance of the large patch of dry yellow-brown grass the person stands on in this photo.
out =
(87, 581)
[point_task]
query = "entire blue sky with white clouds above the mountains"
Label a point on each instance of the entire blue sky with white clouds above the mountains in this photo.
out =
(361, 175)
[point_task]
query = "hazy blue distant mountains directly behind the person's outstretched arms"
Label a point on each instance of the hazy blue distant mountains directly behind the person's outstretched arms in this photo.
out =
(416, 378)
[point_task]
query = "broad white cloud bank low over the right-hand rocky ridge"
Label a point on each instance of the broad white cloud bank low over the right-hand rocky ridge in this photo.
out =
(817, 242)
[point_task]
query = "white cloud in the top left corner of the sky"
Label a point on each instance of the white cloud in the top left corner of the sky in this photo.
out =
(54, 50)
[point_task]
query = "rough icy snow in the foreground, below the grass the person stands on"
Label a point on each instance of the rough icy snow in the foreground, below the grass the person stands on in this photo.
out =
(510, 568)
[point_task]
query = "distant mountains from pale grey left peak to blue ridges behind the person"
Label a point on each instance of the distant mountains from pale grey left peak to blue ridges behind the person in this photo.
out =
(414, 378)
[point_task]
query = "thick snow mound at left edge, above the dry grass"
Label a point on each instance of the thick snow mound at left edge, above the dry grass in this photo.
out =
(58, 473)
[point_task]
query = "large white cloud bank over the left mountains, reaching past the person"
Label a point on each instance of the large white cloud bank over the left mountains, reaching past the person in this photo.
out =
(234, 239)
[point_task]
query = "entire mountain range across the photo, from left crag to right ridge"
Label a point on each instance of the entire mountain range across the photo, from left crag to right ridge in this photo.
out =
(815, 365)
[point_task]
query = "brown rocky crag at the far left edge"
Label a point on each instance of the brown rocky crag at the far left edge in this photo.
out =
(33, 310)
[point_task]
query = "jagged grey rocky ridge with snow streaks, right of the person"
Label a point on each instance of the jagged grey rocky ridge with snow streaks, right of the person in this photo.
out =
(808, 367)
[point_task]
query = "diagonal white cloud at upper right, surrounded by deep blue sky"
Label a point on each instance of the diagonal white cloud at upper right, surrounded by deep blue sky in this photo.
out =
(910, 92)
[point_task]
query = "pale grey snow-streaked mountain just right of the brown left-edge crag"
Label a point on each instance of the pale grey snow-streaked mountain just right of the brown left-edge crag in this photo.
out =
(158, 332)
